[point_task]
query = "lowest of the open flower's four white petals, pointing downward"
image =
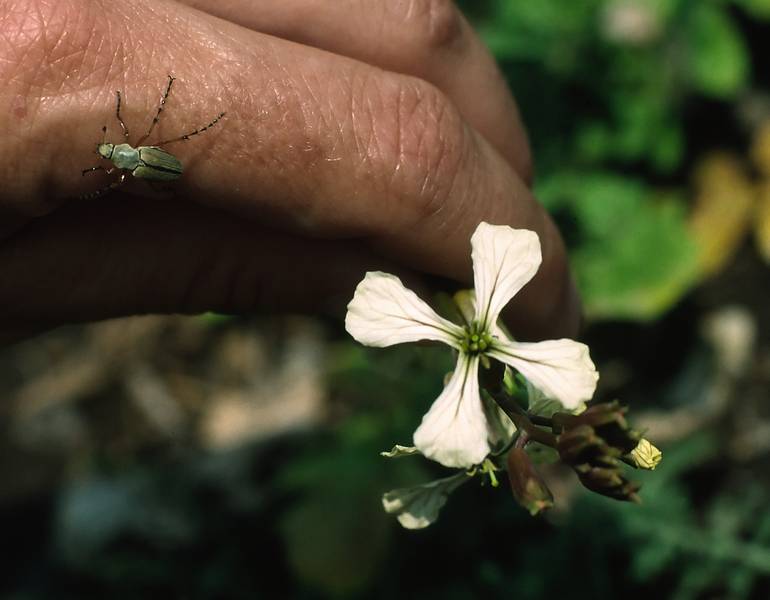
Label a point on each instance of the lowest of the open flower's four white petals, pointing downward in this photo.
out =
(454, 431)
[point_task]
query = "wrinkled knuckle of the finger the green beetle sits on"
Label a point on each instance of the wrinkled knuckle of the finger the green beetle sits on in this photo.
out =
(426, 150)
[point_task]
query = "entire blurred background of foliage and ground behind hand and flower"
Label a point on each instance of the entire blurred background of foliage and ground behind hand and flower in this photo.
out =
(216, 457)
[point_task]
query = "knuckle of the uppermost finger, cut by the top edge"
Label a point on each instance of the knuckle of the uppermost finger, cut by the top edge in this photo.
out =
(428, 24)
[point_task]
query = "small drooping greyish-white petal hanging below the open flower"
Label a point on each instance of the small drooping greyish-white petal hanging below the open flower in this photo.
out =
(418, 506)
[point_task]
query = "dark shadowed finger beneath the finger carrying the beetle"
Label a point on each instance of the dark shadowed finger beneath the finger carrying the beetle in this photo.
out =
(134, 255)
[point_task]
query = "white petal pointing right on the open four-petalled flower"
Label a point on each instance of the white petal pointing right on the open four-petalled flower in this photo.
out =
(561, 369)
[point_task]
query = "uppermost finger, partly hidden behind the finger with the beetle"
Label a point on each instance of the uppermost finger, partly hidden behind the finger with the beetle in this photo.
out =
(429, 39)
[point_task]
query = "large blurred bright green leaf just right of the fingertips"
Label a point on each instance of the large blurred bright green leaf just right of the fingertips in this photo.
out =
(632, 253)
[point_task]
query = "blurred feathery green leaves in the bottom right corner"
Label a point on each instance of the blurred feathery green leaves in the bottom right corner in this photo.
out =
(728, 552)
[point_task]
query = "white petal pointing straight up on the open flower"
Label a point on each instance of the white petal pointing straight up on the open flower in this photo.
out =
(504, 260)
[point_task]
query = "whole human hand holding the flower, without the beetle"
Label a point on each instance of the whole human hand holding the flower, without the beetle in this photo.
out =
(359, 135)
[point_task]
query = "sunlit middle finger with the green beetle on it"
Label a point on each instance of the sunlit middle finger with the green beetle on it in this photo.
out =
(315, 143)
